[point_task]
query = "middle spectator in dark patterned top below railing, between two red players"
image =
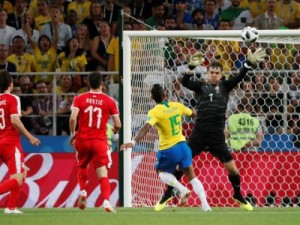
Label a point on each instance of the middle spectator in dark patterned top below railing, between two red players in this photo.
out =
(42, 108)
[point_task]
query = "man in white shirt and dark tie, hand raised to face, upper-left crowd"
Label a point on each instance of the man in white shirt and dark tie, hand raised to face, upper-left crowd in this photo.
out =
(64, 30)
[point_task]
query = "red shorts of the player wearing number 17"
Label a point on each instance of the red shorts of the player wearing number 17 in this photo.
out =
(94, 150)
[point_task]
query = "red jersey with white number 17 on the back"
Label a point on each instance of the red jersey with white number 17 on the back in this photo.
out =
(94, 111)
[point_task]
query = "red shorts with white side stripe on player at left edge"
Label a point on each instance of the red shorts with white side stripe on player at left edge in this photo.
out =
(12, 155)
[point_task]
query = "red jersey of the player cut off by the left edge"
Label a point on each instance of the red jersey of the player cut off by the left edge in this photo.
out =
(9, 105)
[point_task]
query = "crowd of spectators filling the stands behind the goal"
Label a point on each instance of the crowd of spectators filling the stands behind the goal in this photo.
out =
(81, 35)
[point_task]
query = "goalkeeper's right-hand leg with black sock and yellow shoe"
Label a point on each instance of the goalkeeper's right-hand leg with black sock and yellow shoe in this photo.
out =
(220, 150)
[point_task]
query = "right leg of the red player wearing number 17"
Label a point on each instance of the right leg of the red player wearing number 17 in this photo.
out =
(102, 162)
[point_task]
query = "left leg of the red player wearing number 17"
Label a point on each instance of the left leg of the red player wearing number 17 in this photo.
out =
(83, 157)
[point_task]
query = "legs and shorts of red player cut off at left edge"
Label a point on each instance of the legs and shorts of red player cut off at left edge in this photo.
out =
(14, 160)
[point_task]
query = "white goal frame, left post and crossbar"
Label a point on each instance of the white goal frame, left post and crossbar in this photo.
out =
(127, 90)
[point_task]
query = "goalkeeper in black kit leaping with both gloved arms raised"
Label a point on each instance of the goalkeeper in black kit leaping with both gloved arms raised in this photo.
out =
(208, 132)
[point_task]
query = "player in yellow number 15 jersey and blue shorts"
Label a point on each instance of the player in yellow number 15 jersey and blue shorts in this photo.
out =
(173, 150)
